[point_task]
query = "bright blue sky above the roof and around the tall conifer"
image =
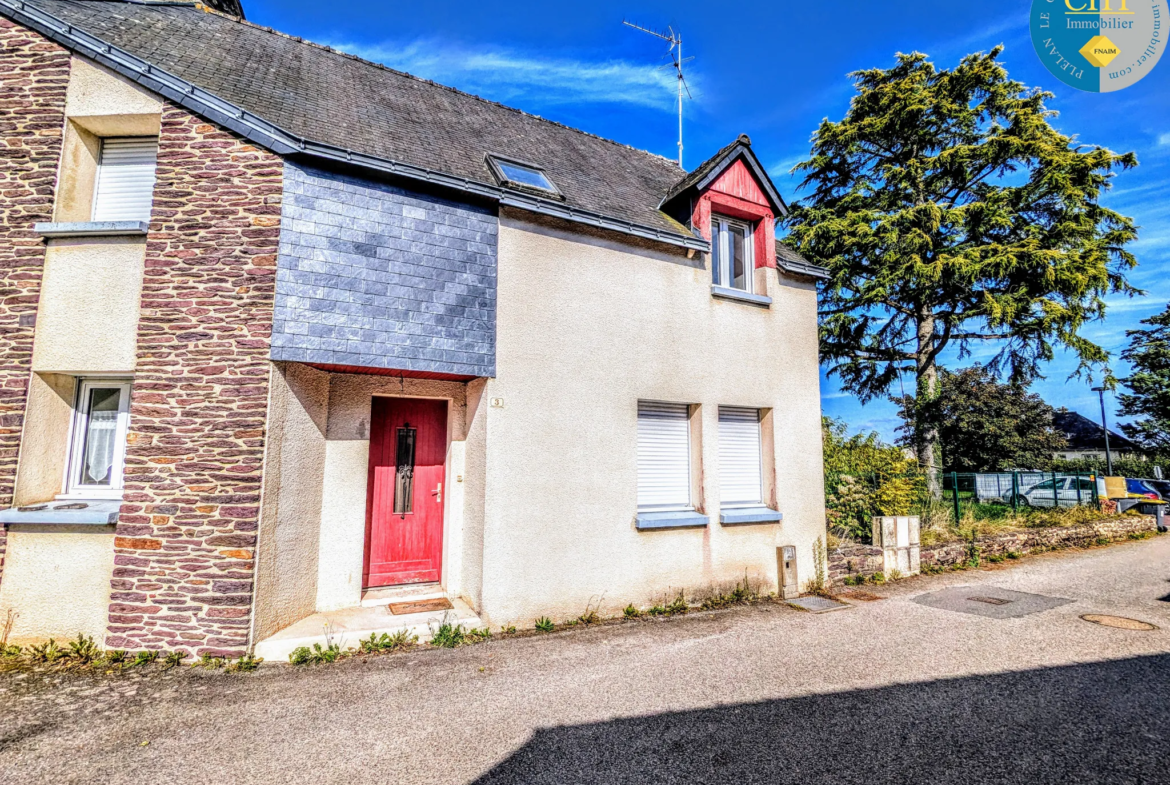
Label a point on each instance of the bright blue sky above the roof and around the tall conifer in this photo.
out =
(772, 71)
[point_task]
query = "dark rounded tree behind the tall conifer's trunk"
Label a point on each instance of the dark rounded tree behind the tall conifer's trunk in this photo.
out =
(988, 426)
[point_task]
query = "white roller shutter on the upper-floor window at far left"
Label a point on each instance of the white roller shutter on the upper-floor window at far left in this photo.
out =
(126, 180)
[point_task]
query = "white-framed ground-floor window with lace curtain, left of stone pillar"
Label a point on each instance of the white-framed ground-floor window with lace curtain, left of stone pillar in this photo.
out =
(98, 447)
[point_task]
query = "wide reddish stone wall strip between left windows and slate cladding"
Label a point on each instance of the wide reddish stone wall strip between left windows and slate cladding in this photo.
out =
(185, 541)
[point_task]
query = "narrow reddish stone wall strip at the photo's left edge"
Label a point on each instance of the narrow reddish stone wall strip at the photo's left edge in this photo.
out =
(32, 116)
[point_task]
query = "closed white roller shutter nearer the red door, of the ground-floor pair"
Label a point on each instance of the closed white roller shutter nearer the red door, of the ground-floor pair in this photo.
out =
(664, 457)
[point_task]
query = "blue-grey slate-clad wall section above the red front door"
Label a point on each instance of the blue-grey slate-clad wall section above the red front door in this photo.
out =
(378, 277)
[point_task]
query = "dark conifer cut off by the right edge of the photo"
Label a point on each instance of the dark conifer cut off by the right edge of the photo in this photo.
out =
(1150, 385)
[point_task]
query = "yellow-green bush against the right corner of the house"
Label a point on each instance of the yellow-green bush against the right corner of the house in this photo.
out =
(865, 478)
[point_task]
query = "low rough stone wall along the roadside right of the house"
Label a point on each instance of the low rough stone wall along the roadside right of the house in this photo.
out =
(858, 561)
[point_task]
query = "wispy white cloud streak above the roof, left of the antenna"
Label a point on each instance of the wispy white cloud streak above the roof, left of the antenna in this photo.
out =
(507, 75)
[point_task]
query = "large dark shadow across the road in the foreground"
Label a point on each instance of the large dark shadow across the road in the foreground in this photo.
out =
(1106, 722)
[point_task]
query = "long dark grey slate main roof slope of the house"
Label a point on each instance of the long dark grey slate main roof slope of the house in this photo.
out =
(299, 98)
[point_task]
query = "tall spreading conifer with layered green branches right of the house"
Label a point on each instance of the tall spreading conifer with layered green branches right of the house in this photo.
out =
(952, 215)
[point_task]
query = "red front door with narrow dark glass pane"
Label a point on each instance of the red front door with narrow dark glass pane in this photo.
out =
(404, 501)
